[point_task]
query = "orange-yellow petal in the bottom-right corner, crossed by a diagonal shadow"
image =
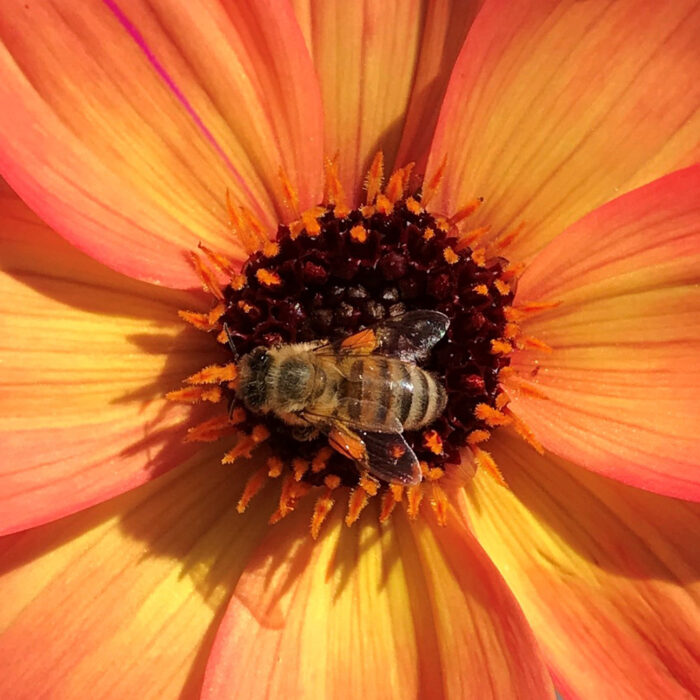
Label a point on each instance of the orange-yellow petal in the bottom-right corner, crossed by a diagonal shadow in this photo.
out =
(606, 574)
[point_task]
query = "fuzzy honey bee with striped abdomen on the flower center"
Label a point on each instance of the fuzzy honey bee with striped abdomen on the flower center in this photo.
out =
(361, 391)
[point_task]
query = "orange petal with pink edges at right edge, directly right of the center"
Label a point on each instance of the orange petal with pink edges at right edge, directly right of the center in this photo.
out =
(622, 383)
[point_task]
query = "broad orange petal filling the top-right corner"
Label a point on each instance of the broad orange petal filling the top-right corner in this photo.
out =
(556, 107)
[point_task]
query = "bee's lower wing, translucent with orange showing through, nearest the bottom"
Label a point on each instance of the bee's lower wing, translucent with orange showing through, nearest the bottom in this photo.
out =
(385, 455)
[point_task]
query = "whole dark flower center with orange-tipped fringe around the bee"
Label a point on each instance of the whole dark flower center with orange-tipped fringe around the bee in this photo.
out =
(328, 276)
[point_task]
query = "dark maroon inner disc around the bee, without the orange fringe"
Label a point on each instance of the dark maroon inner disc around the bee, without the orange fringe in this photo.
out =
(333, 284)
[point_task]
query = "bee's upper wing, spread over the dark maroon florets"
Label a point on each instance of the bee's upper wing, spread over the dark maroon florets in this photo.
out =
(408, 337)
